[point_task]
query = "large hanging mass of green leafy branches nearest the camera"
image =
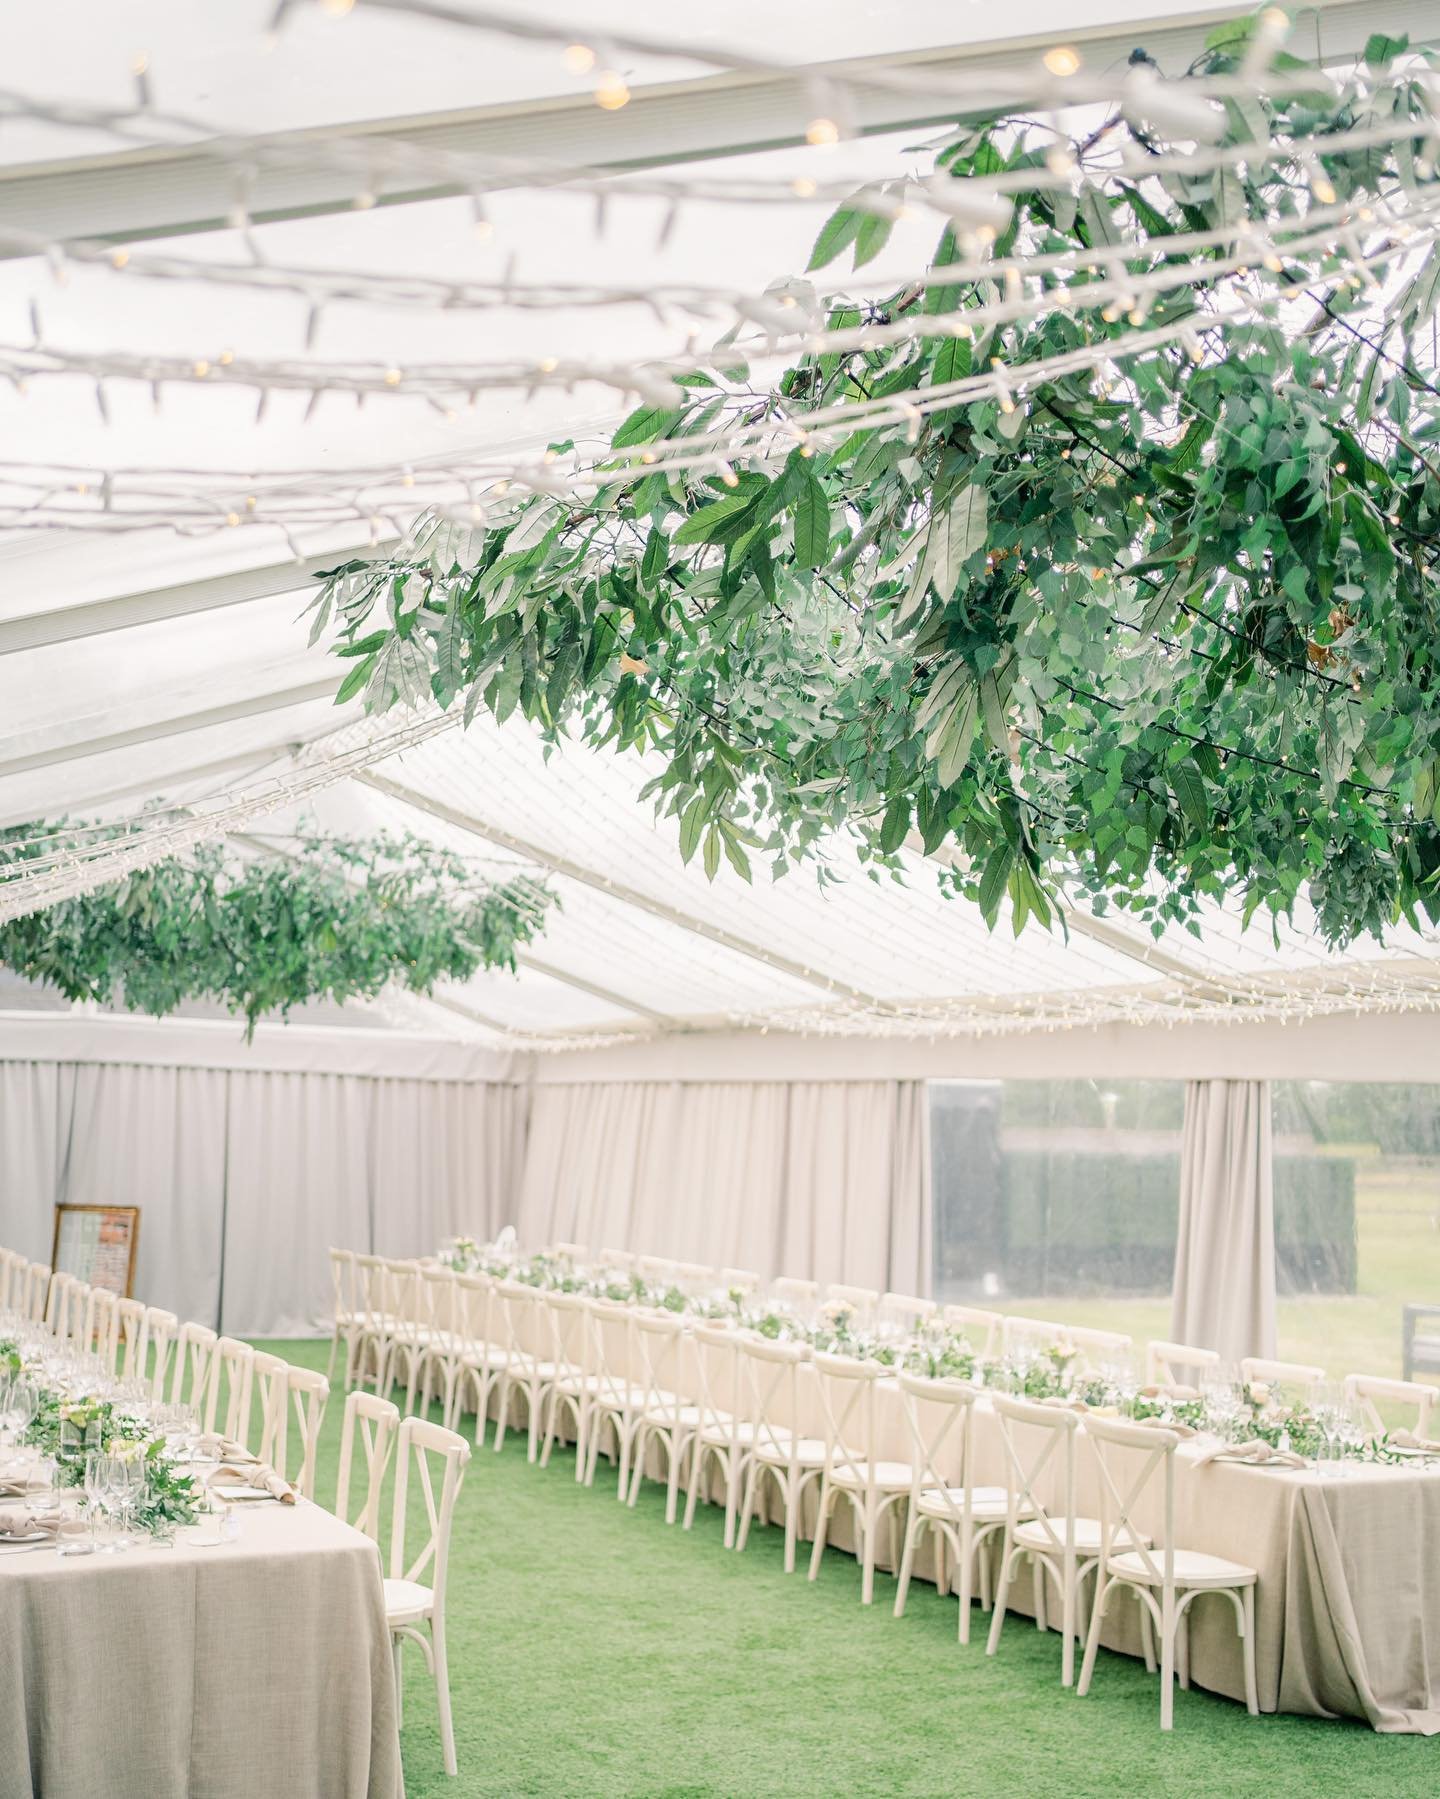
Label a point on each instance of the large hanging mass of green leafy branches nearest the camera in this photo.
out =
(1144, 640)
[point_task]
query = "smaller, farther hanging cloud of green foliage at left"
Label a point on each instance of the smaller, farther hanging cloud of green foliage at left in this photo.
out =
(336, 918)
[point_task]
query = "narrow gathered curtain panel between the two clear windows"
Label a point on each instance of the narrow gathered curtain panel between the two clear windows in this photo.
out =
(1225, 1251)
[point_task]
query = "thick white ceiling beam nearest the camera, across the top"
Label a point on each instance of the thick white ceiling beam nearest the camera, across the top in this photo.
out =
(170, 192)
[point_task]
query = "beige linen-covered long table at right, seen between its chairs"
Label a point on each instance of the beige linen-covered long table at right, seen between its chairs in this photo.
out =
(1349, 1562)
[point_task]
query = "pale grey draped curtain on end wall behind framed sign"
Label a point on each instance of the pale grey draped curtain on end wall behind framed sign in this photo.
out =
(246, 1179)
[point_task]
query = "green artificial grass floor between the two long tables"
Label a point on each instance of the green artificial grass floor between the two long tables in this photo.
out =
(600, 1654)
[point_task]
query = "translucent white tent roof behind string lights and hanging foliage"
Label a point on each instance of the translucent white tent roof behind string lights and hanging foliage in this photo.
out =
(148, 667)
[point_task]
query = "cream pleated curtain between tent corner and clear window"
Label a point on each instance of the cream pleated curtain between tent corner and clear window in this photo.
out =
(816, 1179)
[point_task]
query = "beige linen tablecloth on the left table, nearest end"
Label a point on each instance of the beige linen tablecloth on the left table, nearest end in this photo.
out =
(258, 1669)
